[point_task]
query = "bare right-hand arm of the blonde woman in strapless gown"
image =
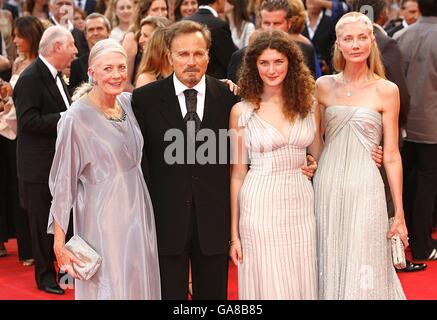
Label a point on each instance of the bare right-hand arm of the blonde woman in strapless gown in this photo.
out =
(392, 159)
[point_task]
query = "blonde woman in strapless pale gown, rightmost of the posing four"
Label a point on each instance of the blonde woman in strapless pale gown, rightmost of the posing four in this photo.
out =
(359, 108)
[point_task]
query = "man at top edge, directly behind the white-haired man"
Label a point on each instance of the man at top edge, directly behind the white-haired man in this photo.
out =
(61, 13)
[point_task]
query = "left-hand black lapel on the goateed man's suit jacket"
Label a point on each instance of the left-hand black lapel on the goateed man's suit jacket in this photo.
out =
(170, 108)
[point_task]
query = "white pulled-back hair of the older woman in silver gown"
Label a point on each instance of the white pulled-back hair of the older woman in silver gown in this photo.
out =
(100, 48)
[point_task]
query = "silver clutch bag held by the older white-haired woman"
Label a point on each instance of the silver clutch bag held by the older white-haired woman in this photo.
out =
(86, 254)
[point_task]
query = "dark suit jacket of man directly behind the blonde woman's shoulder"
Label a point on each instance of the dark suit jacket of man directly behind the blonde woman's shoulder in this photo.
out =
(392, 60)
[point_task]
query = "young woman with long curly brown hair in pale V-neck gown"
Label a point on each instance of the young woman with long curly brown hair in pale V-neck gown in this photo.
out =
(273, 231)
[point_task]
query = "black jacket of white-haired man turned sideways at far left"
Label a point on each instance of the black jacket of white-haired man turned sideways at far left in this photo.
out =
(38, 103)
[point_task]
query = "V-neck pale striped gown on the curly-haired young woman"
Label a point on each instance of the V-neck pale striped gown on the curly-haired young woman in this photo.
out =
(277, 223)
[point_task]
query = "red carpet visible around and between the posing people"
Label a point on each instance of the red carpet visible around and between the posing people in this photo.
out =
(17, 282)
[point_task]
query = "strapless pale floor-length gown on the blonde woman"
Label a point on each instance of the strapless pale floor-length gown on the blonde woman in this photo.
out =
(353, 253)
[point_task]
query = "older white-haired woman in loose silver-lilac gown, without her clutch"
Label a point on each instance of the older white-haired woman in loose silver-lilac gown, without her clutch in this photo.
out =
(96, 171)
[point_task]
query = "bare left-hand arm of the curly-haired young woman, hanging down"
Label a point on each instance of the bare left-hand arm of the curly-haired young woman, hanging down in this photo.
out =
(239, 168)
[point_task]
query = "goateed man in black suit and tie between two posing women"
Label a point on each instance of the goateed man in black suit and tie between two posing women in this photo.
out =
(190, 196)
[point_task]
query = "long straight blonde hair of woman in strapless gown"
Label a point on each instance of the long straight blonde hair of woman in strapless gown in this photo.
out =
(374, 61)
